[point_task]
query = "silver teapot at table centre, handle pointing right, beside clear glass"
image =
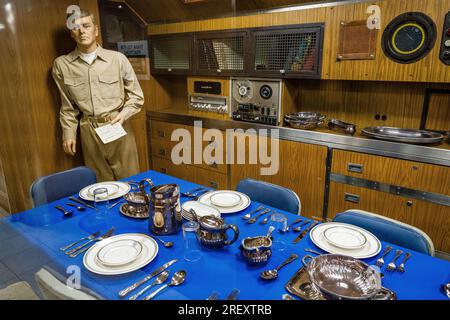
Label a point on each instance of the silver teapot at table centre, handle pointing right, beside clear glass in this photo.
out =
(212, 231)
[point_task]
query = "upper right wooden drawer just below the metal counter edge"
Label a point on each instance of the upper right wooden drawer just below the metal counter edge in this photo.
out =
(403, 173)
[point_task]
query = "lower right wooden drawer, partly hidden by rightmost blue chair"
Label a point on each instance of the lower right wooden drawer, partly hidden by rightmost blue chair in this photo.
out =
(433, 219)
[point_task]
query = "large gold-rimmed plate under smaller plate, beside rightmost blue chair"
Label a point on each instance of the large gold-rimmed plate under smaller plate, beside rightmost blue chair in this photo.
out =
(371, 248)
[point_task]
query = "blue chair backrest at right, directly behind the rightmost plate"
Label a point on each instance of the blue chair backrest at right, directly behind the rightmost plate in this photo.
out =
(389, 230)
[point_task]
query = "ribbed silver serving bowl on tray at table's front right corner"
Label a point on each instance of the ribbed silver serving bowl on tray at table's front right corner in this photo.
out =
(339, 277)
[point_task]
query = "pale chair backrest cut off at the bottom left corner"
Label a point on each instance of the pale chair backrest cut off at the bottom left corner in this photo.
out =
(53, 287)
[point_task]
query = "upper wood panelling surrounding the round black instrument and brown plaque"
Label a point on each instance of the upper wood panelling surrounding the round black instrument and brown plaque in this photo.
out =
(429, 69)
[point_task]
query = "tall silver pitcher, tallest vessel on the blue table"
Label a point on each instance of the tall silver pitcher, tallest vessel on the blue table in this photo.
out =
(164, 207)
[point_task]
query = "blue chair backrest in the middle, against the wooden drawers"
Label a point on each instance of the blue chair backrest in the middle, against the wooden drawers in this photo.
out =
(271, 195)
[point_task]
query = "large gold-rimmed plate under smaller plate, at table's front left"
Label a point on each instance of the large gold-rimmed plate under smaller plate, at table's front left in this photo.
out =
(149, 252)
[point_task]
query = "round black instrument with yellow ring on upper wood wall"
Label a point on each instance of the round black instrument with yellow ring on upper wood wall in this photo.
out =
(409, 37)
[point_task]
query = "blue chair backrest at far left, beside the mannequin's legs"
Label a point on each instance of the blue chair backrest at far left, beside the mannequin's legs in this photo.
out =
(60, 185)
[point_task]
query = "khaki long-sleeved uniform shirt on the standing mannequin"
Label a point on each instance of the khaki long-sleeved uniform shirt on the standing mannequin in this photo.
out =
(108, 84)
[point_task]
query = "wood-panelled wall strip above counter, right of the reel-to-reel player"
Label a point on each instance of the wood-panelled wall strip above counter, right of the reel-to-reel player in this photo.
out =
(359, 102)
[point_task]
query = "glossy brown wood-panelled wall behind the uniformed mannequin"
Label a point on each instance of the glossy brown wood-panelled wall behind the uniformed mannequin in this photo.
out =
(30, 132)
